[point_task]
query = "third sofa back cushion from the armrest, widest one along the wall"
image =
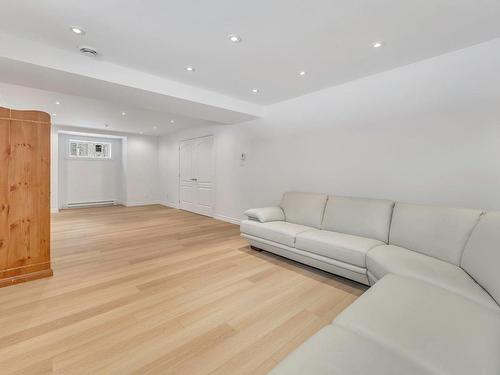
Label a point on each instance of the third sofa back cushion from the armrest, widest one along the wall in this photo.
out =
(436, 231)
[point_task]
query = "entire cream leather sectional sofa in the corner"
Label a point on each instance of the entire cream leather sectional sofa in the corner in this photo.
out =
(433, 307)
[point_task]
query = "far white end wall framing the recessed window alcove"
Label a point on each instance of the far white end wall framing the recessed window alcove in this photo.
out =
(139, 176)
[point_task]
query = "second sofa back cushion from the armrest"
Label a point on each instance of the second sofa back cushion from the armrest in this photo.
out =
(363, 217)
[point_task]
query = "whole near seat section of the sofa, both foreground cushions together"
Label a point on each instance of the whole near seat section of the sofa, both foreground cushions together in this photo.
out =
(403, 326)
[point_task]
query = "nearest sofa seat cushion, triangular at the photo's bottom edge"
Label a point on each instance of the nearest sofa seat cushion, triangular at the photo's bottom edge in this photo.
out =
(337, 351)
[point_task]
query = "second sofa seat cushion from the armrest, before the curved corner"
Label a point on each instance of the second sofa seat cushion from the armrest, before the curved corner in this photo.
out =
(339, 246)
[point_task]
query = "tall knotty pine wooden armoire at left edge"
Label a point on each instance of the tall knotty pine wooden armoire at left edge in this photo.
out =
(24, 196)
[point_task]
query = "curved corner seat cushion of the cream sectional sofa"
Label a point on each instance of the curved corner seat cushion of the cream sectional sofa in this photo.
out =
(383, 260)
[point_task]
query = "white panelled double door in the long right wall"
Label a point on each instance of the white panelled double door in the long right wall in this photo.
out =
(196, 174)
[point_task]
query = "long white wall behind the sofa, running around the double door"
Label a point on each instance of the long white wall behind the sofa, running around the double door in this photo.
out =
(425, 133)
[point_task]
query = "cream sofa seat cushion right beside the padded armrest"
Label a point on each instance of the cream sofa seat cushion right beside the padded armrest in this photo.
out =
(277, 231)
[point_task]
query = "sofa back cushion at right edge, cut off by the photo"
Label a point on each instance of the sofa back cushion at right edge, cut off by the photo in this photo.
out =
(481, 258)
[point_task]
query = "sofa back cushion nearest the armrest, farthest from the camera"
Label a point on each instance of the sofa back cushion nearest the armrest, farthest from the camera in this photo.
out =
(304, 208)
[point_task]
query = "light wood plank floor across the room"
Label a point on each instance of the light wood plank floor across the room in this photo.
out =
(154, 290)
